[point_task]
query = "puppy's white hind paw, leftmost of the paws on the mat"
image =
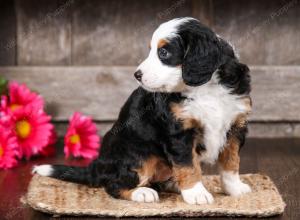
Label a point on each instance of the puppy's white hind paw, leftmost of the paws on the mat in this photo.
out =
(144, 194)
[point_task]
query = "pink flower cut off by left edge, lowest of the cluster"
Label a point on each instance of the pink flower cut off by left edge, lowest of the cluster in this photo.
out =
(8, 148)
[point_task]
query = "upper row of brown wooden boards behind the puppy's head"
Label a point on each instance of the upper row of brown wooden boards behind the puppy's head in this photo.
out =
(112, 32)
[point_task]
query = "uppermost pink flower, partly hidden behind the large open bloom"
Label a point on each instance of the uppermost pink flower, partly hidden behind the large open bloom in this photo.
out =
(20, 96)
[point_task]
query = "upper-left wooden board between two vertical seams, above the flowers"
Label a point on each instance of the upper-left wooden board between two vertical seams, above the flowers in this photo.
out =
(43, 32)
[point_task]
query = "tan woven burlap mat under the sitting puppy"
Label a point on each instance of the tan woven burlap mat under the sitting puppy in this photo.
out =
(62, 198)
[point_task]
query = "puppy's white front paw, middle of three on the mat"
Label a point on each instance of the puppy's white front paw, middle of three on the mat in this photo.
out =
(197, 195)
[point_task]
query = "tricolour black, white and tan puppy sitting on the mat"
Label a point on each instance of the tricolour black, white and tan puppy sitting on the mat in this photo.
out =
(191, 107)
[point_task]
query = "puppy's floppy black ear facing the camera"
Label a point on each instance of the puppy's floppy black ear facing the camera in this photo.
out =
(203, 55)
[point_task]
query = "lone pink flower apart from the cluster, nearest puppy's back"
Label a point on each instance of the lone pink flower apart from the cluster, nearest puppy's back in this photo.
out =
(81, 139)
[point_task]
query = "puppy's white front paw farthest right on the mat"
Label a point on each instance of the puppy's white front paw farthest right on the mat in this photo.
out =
(233, 186)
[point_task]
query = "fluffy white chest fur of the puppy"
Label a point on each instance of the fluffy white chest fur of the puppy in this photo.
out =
(216, 109)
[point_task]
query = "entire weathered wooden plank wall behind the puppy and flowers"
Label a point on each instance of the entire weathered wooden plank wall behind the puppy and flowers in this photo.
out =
(81, 54)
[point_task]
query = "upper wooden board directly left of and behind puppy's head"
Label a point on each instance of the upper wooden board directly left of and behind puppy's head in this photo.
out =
(118, 32)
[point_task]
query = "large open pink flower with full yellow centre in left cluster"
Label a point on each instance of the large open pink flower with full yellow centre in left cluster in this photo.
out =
(32, 128)
